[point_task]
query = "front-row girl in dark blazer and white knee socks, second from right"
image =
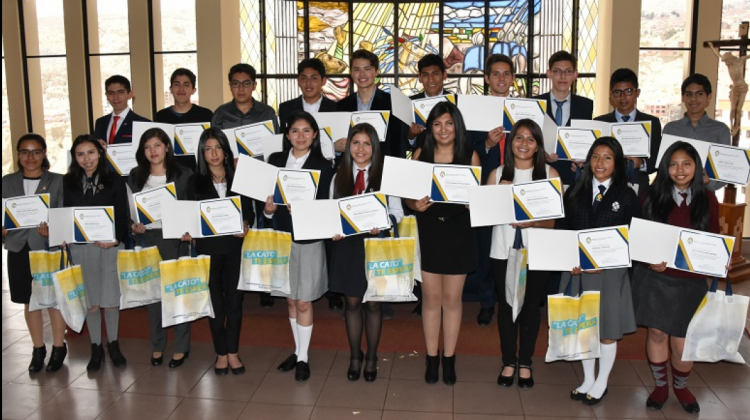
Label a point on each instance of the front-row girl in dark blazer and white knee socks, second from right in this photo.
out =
(601, 198)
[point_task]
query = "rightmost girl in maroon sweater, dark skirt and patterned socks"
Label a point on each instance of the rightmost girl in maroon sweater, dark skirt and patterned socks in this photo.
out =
(665, 299)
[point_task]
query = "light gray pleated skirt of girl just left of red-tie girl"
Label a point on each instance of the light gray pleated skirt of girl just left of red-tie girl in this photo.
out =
(308, 272)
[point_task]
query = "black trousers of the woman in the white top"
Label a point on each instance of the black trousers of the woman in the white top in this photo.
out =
(518, 339)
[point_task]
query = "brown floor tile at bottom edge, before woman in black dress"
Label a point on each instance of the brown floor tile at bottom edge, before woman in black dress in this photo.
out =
(415, 395)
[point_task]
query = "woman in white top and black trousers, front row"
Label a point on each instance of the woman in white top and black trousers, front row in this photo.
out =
(526, 162)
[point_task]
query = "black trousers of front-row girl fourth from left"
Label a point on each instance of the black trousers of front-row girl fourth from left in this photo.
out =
(227, 302)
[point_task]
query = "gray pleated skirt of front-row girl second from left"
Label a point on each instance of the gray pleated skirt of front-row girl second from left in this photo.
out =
(99, 268)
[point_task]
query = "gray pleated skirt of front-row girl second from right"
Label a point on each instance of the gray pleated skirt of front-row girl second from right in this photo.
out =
(616, 314)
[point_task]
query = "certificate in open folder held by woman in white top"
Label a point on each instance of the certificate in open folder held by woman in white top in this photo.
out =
(538, 200)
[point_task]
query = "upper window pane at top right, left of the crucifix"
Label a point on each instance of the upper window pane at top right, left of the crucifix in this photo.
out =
(664, 24)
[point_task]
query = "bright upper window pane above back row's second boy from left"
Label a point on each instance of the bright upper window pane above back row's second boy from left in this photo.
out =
(177, 25)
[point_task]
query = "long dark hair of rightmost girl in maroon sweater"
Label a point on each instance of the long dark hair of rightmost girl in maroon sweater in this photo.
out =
(658, 202)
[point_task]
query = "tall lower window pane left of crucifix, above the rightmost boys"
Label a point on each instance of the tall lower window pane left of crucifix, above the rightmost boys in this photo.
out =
(661, 74)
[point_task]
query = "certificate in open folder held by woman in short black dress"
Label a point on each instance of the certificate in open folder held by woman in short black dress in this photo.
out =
(450, 183)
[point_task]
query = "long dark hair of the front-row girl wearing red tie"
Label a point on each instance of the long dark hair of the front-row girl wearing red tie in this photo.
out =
(344, 184)
